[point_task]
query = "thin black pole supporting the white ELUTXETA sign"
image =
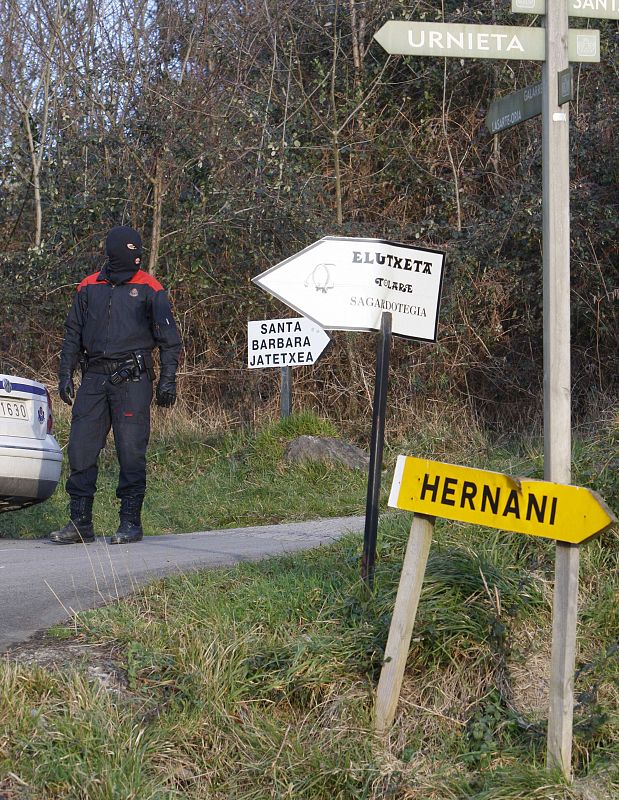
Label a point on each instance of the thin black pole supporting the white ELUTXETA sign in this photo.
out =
(376, 450)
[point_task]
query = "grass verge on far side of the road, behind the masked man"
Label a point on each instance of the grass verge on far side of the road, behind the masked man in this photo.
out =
(198, 481)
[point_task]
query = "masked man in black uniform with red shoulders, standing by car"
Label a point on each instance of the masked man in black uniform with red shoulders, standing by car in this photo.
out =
(119, 315)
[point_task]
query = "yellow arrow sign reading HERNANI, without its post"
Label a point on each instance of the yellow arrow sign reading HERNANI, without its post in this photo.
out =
(537, 508)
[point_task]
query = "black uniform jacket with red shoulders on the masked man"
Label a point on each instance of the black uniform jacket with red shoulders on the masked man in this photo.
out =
(110, 320)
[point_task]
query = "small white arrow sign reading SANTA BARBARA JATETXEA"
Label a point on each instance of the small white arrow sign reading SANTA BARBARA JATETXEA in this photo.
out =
(284, 342)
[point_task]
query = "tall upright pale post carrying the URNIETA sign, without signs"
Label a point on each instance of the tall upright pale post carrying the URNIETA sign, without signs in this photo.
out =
(557, 423)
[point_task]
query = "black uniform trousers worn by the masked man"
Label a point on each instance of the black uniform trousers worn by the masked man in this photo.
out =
(98, 406)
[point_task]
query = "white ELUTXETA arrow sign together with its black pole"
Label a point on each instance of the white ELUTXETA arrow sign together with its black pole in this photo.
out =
(344, 283)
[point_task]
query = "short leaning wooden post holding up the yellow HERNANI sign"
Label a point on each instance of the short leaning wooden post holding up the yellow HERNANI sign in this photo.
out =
(402, 622)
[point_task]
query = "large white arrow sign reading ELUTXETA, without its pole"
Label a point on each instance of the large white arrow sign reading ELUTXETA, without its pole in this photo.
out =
(346, 284)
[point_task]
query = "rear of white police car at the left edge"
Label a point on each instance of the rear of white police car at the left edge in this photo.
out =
(30, 457)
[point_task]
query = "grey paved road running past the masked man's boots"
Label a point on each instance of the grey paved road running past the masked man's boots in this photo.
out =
(42, 584)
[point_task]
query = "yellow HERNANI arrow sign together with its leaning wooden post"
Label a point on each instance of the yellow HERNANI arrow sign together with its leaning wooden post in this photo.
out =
(431, 488)
